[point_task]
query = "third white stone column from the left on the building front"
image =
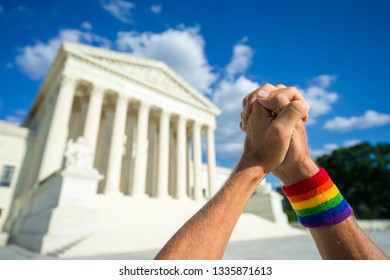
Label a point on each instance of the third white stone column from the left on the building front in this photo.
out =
(116, 147)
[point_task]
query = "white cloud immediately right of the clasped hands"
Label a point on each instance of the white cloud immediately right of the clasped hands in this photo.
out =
(319, 97)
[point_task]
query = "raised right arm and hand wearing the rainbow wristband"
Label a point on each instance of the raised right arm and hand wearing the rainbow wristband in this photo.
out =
(316, 200)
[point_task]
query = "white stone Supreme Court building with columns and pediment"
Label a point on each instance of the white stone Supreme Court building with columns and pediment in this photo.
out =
(103, 124)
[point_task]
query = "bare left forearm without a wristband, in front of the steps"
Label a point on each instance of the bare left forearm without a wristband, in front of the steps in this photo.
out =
(207, 233)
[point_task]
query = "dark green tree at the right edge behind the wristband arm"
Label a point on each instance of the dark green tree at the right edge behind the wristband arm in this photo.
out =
(362, 173)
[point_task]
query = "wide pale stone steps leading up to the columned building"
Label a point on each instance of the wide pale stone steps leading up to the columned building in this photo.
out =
(128, 224)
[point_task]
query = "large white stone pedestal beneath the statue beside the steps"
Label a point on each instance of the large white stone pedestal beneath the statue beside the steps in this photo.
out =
(59, 212)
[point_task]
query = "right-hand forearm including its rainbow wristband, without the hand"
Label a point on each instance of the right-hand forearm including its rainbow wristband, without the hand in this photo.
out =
(322, 209)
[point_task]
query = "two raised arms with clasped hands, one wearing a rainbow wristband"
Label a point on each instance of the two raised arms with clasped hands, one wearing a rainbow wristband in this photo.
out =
(276, 141)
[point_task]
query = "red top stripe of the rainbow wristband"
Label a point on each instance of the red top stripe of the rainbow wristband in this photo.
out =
(307, 185)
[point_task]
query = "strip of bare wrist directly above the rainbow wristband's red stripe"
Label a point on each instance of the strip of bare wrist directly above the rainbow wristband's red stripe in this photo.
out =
(298, 172)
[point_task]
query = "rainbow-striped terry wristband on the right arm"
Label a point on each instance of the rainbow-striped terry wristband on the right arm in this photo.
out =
(317, 201)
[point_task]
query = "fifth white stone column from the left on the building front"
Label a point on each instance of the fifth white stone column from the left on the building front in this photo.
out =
(163, 155)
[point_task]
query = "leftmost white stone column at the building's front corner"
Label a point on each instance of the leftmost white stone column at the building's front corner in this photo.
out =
(58, 131)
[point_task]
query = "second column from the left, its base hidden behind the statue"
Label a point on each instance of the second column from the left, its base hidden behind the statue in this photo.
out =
(92, 121)
